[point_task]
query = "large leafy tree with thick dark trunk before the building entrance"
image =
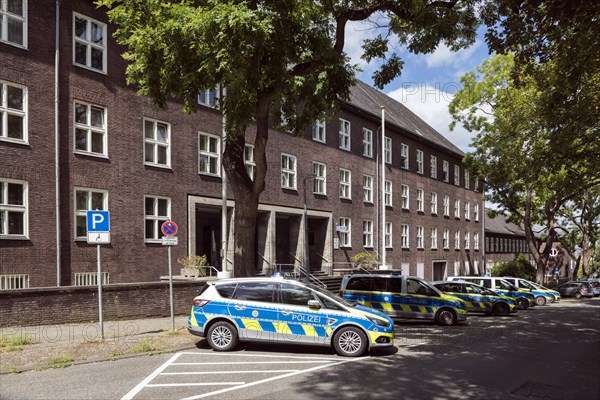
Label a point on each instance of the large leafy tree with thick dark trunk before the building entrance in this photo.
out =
(278, 60)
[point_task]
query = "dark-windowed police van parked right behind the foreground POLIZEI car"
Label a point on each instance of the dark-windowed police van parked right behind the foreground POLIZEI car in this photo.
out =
(401, 296)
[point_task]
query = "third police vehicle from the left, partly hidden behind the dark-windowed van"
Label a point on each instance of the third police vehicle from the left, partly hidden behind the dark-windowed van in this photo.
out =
(477, 298)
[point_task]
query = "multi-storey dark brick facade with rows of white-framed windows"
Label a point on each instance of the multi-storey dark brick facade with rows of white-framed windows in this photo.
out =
(115, 151)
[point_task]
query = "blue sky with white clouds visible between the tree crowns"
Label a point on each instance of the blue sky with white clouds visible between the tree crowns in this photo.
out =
(427, 82)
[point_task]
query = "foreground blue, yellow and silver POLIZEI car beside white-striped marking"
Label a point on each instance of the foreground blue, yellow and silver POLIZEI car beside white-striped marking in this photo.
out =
(285, 311)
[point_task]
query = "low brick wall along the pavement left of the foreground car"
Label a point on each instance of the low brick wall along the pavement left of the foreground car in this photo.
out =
(70, 304)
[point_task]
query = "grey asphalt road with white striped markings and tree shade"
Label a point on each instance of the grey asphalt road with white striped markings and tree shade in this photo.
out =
(549, 352)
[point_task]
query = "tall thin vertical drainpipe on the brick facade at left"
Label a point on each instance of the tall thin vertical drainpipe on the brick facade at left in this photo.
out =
(56, 143)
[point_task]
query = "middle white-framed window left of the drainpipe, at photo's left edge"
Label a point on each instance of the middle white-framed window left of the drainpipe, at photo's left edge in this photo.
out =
(13, 112)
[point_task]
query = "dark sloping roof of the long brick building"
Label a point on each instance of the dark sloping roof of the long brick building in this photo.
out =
(371, 100)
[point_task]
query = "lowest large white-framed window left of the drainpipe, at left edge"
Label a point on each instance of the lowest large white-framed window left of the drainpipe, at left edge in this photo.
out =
(13, 209)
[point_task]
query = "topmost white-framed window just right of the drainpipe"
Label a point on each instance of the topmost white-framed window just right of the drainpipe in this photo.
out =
(89, 43)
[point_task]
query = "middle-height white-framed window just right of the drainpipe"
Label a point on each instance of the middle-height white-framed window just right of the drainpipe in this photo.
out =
(90, 129)
